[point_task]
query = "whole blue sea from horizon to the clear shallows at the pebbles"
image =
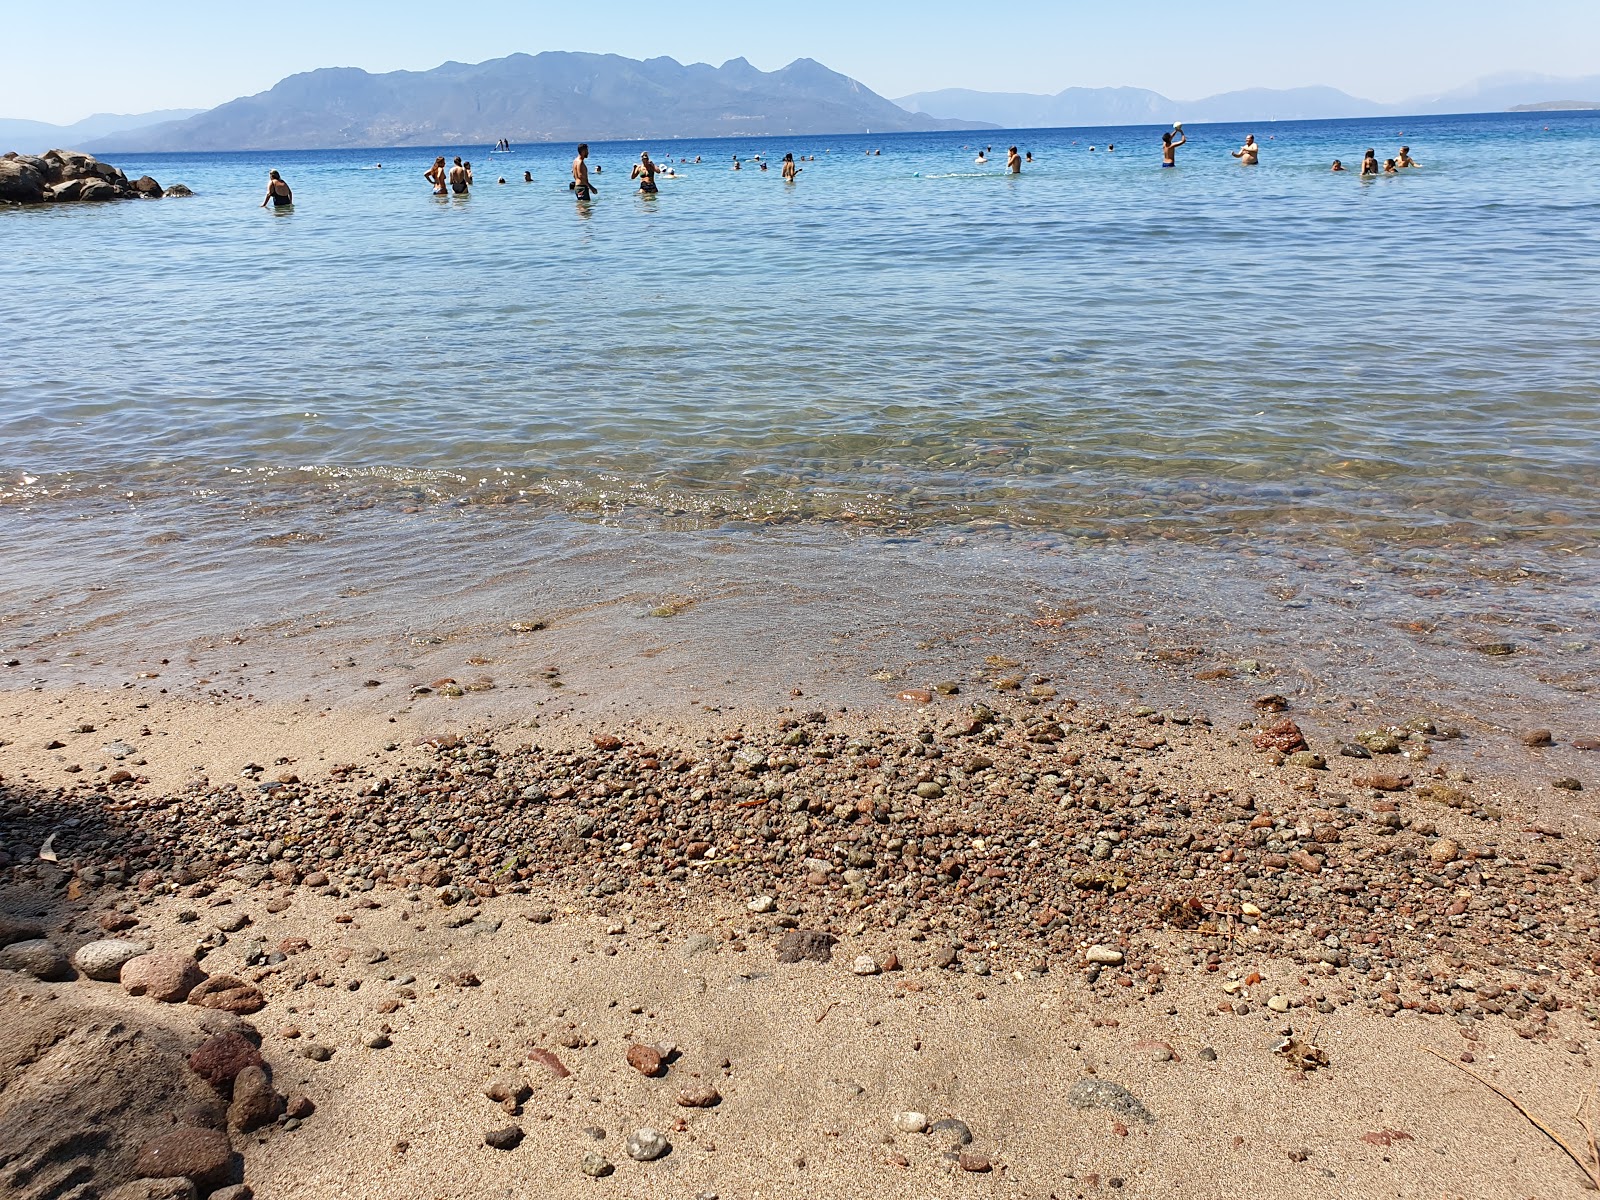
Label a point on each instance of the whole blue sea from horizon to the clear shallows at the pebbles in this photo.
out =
(1158, 434)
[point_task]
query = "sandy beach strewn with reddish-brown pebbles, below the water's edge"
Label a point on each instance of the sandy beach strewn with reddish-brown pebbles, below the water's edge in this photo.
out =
(823, 927)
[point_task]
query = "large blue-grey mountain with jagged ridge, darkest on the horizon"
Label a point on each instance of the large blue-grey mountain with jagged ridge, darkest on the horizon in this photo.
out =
(534, 98)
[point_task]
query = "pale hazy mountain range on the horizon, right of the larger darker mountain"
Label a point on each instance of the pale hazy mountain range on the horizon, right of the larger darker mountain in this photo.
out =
(1137, 106)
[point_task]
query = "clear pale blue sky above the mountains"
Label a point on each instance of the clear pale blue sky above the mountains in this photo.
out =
(70, 58)
